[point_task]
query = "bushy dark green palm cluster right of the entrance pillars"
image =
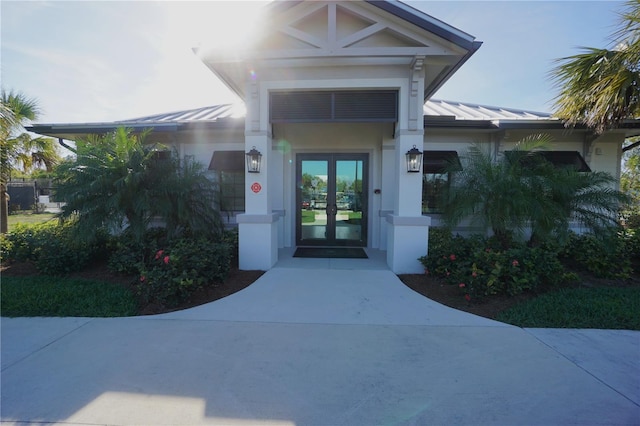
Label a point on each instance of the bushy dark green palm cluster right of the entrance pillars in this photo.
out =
(522, 190)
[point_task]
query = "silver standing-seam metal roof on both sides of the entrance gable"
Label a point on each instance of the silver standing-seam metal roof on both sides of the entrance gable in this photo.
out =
(434, 108)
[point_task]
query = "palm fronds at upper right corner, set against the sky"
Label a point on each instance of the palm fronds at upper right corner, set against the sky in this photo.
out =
(601, 87)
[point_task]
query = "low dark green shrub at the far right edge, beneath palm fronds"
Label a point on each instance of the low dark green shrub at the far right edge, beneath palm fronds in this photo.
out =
(605, 257)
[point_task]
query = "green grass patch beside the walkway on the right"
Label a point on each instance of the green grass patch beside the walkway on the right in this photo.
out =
(603, 308)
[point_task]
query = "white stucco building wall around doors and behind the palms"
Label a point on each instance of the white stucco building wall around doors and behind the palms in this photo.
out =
(376, 139)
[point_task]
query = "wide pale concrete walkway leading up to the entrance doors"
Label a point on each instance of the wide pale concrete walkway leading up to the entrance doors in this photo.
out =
(309, 346)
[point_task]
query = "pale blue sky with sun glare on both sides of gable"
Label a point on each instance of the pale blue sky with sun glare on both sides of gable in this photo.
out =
(110, 60)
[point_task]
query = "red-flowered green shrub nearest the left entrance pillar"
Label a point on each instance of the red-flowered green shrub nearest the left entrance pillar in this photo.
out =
(174, 273)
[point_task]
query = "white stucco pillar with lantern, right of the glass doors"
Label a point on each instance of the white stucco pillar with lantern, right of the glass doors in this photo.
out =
(407, 229)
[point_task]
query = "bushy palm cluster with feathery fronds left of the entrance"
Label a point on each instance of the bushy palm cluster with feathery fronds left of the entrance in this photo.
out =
(118, 182)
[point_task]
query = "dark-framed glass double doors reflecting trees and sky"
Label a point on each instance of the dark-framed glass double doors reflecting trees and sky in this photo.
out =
(331, 200)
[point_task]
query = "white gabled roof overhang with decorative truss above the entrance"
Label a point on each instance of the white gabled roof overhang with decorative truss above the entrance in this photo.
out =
(444, 47)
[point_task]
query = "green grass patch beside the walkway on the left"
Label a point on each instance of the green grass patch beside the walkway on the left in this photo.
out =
(36, 296)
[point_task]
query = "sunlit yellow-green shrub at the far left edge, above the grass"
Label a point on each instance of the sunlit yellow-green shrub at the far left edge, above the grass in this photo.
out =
(52, 247)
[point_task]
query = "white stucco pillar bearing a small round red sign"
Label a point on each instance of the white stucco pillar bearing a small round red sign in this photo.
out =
(258, 227)
